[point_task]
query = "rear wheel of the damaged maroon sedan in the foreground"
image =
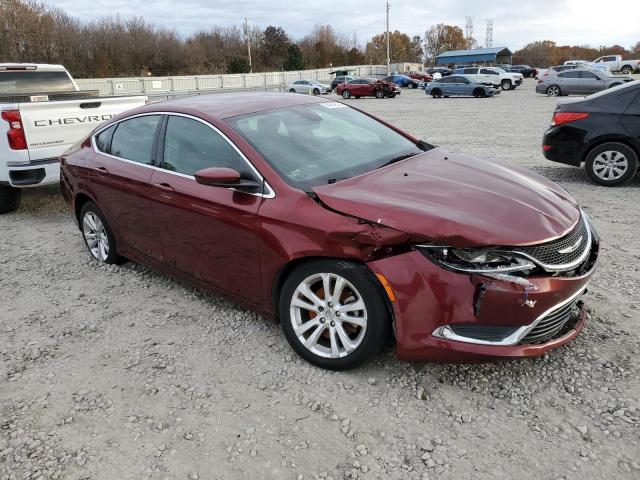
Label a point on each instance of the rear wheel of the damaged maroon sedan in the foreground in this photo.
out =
(97, 235)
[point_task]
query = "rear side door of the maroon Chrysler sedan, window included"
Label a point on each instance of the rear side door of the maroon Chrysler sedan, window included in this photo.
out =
(119, 177)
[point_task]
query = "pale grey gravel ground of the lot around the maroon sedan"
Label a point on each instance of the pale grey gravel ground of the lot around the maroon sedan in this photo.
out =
(120, 372)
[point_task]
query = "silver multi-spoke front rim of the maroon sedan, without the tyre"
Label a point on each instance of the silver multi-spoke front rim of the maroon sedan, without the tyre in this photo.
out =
(328, 315)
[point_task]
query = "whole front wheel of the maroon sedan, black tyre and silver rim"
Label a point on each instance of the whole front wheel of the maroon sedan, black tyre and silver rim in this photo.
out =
(333, 314)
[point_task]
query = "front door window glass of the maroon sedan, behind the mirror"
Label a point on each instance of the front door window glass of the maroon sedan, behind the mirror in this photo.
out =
(191, 145)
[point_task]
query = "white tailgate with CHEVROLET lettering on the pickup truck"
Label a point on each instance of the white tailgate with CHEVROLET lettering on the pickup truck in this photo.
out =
(52, 127)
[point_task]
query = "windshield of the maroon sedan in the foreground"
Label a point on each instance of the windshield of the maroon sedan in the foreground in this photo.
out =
(319, 143)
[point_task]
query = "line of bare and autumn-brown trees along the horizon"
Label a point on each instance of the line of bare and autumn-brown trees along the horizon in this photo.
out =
(112, 47)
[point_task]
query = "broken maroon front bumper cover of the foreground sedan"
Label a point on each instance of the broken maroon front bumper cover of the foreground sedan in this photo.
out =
(431, 300)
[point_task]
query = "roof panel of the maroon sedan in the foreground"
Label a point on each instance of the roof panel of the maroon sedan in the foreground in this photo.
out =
(217, 106)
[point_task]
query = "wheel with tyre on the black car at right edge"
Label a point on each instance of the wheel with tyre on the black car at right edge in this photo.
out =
(611, 164)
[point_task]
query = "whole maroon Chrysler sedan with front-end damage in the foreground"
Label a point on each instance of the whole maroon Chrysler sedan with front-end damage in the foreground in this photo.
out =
(338, 225)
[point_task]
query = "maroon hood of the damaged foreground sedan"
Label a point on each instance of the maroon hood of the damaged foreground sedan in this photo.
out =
(457, 200)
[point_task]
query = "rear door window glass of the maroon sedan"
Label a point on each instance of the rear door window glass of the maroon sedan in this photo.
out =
(133, 139)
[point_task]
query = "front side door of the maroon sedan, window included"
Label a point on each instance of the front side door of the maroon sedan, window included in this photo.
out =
(209, 233)
